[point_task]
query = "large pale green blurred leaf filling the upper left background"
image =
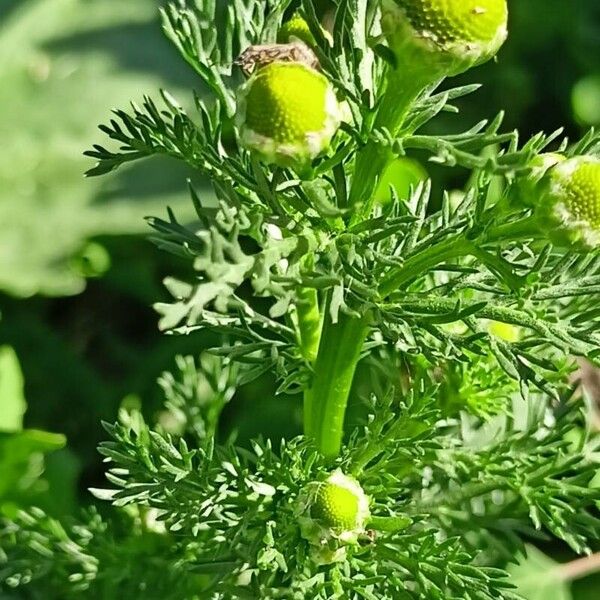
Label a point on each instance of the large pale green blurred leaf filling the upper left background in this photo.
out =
(63, 64)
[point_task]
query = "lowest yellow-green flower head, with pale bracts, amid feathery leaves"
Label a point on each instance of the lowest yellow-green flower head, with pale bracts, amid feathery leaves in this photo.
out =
(333, 514)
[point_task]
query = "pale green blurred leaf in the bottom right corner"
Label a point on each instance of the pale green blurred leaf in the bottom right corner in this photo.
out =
(538, 577)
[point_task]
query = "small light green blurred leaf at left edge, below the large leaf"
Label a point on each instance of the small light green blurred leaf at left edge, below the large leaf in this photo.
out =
(12, 400)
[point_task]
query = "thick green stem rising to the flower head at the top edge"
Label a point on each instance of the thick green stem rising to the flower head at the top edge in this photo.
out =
(403, 88)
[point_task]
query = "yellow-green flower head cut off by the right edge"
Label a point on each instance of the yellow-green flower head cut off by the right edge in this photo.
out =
(568, 204)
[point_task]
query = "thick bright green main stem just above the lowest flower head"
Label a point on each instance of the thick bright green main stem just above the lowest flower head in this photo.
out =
(325, 403)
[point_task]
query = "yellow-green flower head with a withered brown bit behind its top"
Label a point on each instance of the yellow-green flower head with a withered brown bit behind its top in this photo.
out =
(288, 113)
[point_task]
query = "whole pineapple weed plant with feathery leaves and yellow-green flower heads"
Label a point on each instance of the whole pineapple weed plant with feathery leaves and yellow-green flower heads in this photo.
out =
(465, 313)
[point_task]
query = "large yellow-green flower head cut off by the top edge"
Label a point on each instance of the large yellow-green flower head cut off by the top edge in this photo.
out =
(448, 36)
